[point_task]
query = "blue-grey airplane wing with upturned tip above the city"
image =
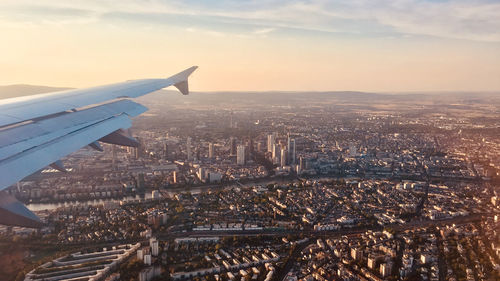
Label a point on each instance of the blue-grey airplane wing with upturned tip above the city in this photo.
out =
(36, 131)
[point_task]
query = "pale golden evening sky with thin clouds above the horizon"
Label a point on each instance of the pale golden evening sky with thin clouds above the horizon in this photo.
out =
(314, 45)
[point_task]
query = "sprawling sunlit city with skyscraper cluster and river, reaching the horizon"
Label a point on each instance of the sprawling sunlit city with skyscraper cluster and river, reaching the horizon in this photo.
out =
(283, 186)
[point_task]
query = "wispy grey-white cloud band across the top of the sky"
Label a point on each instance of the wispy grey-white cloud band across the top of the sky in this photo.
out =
(460, 19)
